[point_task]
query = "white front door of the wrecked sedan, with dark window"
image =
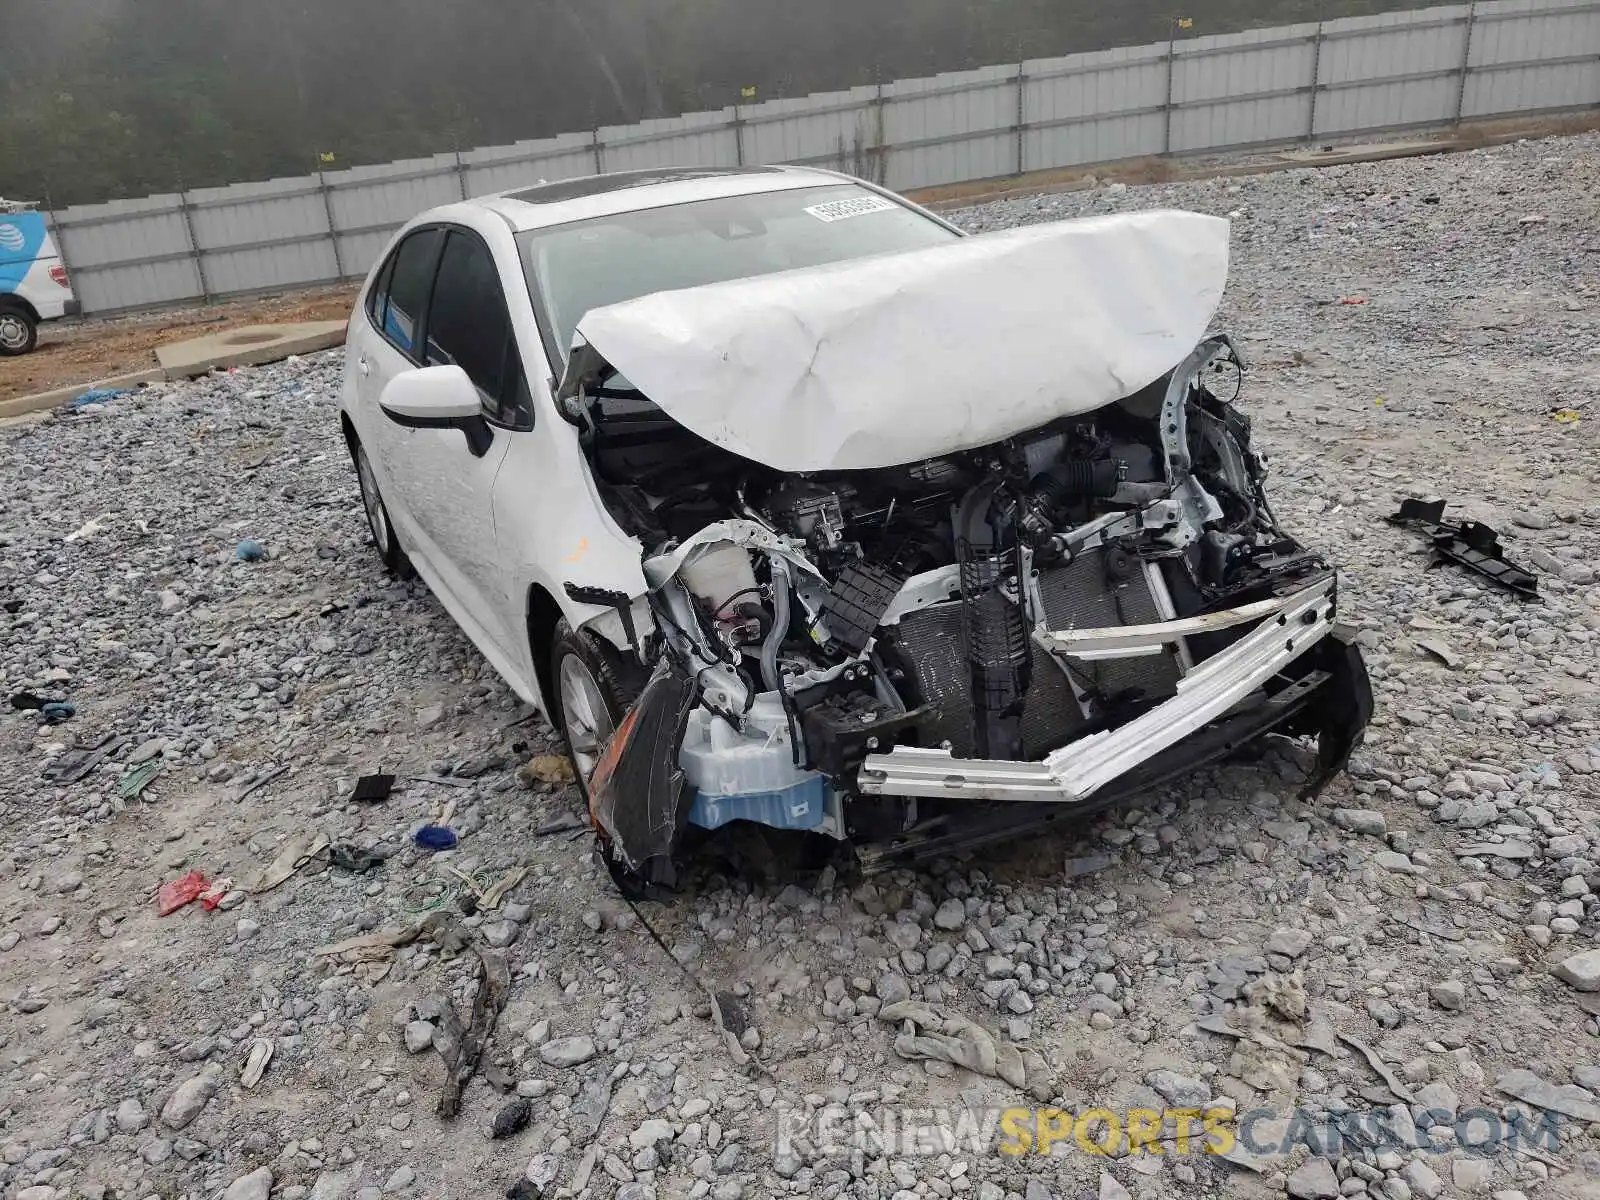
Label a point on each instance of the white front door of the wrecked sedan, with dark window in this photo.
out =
(441, 486)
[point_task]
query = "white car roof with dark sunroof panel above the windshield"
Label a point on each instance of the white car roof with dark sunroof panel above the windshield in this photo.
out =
(566, 201)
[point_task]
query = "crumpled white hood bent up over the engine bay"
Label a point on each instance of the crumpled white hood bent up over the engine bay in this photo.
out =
(902, 358)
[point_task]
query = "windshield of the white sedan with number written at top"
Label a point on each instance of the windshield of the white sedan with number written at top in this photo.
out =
(607, 260)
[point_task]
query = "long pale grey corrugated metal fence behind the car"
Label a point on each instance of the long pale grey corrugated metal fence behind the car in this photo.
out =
(1268, 87)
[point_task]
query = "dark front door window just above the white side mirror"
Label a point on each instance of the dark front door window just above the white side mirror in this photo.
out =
(470, 327)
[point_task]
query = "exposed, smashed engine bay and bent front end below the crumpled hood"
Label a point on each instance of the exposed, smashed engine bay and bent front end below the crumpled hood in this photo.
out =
(898, 655)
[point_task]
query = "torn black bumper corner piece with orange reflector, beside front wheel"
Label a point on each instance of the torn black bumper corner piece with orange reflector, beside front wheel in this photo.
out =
(638, 794)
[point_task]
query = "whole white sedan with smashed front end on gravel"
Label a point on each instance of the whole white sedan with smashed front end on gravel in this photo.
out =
(791, 505)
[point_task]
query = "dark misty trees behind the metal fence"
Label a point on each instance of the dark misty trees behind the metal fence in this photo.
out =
(116, 98)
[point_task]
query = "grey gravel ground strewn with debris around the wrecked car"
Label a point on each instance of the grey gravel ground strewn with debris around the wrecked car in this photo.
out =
(1414, 948)
